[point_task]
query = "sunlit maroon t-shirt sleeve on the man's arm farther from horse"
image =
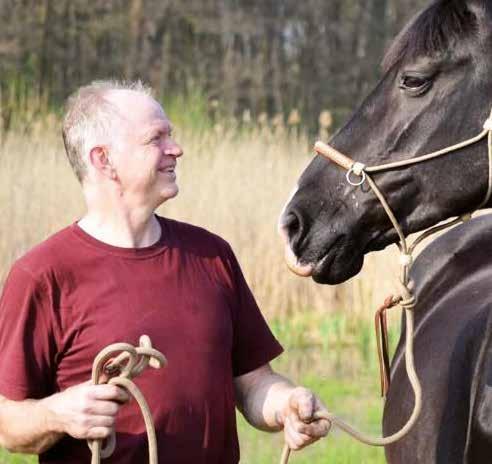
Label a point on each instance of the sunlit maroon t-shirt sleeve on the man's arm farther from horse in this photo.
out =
(27, 342)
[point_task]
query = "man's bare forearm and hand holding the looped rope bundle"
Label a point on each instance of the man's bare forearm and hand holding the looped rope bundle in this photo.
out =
(84, 411)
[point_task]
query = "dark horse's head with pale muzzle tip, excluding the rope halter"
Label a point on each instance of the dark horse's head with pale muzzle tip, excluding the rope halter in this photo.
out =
(436, 90)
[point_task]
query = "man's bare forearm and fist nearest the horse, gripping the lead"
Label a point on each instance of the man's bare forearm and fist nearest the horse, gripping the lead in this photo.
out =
(271, 402)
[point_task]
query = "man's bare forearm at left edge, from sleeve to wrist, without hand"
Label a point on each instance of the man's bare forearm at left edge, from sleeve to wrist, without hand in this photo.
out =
(25, 426)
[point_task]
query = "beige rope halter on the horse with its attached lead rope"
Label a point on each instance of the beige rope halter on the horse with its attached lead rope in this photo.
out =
(406, 299)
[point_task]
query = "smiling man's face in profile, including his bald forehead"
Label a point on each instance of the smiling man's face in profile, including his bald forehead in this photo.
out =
(144, 154)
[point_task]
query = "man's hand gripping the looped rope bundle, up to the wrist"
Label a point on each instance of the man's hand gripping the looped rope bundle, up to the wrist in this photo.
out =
(85, 411)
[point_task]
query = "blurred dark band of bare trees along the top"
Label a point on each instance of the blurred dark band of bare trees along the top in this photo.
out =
(261, 56)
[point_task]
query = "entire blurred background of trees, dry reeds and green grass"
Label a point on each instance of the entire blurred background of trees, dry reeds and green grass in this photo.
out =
(247, 84)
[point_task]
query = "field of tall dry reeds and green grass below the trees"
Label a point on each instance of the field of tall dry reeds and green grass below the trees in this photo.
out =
(233, 182)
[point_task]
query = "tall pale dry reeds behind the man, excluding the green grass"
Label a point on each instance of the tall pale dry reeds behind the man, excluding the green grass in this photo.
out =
(232, 182)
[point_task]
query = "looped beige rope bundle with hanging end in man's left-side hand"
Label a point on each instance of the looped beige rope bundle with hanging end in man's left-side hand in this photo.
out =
(126, 362)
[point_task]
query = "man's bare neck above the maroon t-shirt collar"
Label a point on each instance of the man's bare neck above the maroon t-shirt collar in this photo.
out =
(135, 229)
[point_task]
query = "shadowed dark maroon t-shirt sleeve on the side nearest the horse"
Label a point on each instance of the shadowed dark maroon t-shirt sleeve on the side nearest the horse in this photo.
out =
(253, 342)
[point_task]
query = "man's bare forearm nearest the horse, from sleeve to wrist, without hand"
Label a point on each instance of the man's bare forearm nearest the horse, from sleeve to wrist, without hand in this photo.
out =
(262, 403)
